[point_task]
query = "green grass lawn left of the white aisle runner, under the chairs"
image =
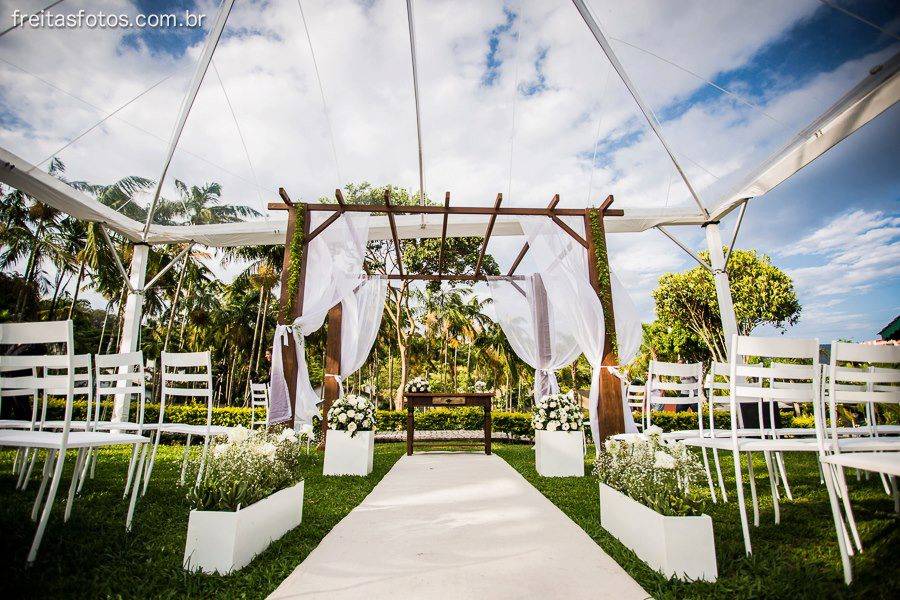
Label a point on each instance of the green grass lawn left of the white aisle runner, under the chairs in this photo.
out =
(92, 556)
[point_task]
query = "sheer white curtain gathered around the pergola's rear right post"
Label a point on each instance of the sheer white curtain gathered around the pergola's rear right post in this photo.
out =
(515, 304)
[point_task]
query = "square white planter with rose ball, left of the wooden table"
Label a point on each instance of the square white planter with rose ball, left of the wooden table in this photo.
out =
(350, 442)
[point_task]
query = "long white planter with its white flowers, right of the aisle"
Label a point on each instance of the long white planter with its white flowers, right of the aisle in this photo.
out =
(650, 501)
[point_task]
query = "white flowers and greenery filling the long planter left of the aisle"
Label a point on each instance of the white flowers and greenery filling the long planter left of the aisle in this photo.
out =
(249, 466)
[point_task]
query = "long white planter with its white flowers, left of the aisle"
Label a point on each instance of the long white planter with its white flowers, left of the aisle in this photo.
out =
(251, 494)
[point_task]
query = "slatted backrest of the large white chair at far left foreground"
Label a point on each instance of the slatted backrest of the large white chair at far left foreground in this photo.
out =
(49, 373)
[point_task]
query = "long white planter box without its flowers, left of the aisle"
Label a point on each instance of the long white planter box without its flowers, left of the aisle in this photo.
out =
(224, 541)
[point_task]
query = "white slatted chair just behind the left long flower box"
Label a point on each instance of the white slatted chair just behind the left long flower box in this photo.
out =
(185, 375)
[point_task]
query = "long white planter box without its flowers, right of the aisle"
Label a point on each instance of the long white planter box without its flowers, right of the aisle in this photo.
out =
(679, 546)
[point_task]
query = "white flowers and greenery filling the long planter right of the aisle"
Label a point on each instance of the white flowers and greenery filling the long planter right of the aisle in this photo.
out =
(662, 476)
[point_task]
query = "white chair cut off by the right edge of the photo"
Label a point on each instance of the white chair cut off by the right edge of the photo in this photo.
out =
(871, 387)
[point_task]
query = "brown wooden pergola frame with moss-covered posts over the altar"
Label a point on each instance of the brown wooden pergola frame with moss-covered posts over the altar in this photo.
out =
(610, 412)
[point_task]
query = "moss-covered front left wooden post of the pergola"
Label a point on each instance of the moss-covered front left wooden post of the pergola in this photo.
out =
(293, 276)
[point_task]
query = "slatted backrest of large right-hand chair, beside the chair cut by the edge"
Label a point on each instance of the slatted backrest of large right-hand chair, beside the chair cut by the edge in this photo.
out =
(756, 360)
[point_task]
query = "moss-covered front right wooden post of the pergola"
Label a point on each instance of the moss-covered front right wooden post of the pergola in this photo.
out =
(611, 416)
